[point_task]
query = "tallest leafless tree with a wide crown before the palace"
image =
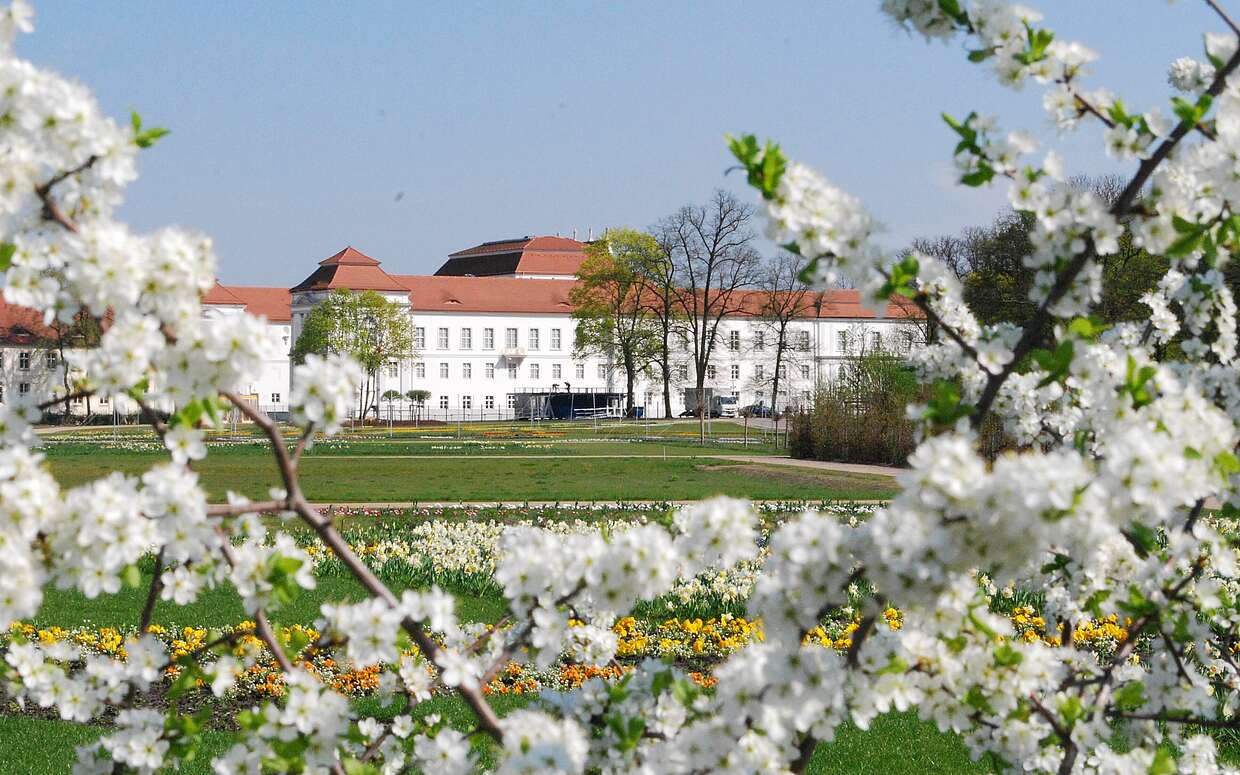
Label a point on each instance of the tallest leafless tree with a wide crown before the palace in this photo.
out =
(714, 257)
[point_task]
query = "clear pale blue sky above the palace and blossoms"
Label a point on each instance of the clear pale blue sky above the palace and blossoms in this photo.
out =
(297, 125)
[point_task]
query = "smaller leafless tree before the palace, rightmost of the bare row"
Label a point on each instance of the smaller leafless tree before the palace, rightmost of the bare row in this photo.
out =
(783, 298)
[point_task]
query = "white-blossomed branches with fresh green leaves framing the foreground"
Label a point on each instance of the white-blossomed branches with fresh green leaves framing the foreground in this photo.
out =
(1125, 453)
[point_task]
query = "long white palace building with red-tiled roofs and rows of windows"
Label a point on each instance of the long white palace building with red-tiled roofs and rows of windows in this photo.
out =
(493, 324)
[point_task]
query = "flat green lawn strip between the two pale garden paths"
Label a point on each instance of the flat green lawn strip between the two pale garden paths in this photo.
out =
(567, 479)
